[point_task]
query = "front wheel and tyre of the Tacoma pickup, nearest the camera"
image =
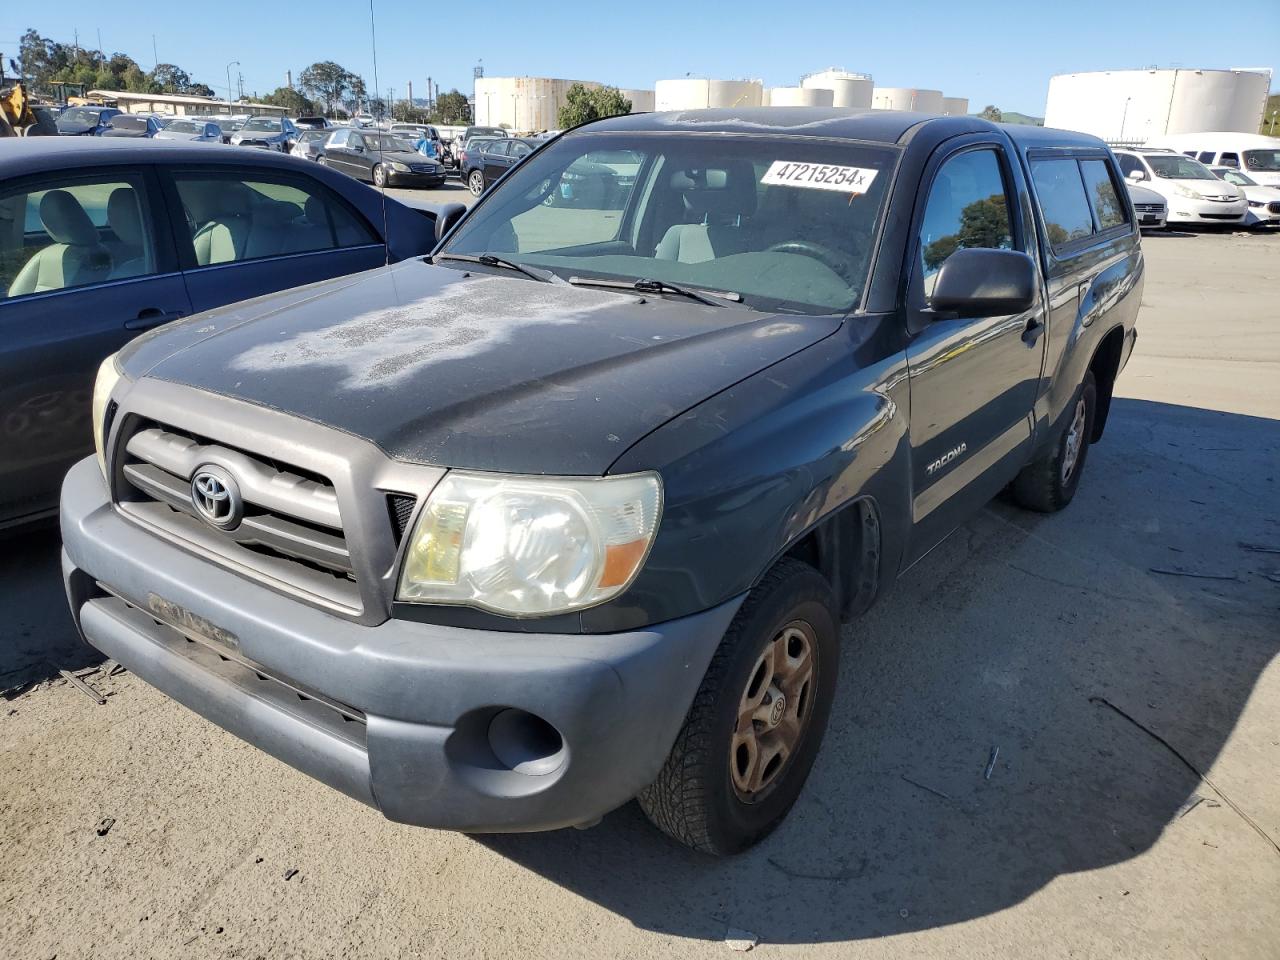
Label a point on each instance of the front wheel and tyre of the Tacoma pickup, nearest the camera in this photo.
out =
(757, 721)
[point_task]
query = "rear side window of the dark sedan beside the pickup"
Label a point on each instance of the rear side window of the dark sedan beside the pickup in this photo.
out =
(260, 214)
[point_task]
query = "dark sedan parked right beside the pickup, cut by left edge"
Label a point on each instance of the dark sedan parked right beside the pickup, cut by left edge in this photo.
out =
(103, 239)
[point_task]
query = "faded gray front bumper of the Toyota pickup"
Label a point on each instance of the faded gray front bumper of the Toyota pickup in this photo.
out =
(435, 726)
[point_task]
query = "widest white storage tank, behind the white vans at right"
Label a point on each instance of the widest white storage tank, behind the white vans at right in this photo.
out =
(1136, 107)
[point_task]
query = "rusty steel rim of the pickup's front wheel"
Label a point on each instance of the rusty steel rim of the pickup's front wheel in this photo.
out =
(774, 711)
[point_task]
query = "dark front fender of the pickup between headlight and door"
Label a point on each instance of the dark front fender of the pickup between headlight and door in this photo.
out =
(751, 470)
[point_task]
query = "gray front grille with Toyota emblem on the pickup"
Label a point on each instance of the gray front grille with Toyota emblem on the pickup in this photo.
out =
(286, 531)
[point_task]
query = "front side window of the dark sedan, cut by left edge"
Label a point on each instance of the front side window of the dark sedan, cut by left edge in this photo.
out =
(62, 235)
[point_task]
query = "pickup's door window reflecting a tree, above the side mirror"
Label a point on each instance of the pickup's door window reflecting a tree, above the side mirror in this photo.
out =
(968, 208)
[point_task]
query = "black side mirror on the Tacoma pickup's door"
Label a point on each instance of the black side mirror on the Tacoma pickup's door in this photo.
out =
(985, 284)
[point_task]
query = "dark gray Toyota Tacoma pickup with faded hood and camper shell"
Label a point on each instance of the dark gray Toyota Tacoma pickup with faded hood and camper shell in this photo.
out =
(573, 511)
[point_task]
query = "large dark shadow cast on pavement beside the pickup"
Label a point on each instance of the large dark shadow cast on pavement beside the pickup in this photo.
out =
(1000, 638)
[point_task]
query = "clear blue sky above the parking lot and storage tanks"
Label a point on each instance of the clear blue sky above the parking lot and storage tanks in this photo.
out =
(994, 53)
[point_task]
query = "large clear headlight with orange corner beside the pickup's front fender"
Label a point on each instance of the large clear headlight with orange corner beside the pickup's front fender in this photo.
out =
(531, 546)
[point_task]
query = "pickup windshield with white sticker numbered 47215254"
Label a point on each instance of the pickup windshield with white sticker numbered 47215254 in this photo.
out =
(785, 223)
